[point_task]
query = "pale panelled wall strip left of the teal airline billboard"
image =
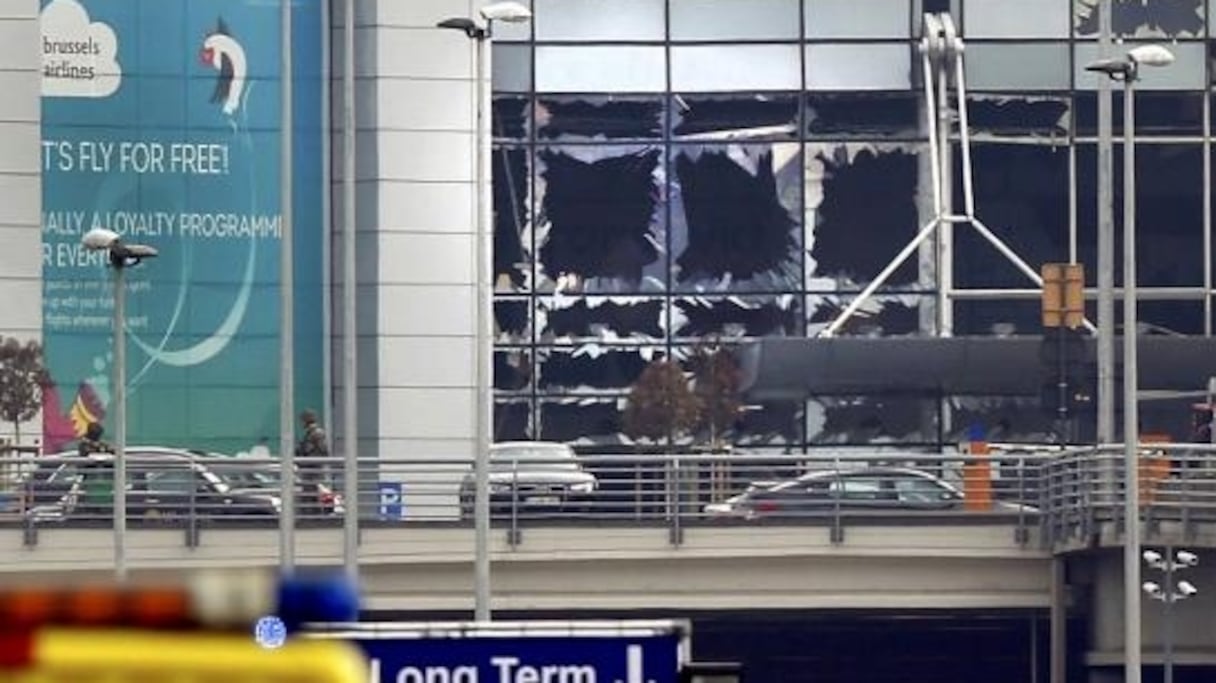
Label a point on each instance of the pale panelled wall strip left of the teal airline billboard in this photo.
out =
(21, 263)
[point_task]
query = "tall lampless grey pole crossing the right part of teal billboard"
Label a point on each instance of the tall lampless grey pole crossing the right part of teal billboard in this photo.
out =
(286, 301)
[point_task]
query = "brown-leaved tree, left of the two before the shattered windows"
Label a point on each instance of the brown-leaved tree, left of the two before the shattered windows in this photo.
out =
(661, 405)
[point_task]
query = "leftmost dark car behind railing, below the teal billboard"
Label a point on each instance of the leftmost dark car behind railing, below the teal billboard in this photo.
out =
(161, 484)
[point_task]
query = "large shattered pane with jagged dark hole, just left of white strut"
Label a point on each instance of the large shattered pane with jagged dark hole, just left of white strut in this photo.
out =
(862, 211)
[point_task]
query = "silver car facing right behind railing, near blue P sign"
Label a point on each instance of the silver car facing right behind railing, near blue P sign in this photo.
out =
(532, 478)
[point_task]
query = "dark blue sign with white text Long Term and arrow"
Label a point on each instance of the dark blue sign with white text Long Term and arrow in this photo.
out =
(526, 659)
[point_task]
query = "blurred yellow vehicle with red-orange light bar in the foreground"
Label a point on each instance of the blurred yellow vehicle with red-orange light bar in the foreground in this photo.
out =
(204, 633)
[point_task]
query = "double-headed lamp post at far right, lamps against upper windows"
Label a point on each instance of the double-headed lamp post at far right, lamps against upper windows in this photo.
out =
(1128, 71)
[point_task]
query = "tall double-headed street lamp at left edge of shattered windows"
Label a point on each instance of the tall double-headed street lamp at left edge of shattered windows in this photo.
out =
(510, 13)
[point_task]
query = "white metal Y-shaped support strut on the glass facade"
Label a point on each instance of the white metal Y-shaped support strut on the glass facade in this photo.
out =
(942, 61)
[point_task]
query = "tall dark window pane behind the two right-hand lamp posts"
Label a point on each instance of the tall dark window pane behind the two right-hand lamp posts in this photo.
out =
(1169, 212)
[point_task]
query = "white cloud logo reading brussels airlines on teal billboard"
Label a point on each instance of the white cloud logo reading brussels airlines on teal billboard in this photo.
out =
(80, 57)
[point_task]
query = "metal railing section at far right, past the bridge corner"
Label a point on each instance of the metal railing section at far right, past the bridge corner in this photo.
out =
(1086, 489)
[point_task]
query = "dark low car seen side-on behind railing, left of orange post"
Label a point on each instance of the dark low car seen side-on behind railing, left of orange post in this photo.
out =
(865, 488)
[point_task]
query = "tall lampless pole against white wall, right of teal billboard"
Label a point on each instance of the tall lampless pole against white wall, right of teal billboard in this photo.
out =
(350, 279)
